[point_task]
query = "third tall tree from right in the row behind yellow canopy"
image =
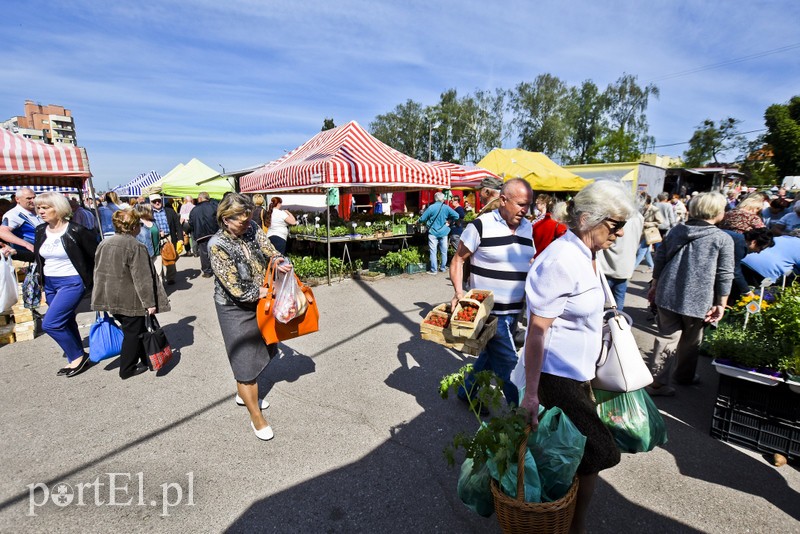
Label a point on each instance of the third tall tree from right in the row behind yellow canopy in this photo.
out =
(541, 115)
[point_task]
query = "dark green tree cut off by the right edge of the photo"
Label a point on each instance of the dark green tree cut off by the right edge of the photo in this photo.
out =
(783, 134)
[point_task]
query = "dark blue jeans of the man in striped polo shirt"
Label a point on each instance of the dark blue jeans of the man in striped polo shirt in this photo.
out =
(499, 356)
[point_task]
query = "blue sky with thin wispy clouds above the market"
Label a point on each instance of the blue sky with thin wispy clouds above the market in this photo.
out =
(236, 83)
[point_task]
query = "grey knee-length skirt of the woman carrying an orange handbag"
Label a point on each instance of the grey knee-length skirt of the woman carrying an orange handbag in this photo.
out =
(247, 350)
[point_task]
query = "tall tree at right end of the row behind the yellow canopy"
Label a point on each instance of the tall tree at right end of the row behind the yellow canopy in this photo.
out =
(627, 136)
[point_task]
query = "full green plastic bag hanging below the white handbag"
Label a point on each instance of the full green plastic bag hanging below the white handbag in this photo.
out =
(633, 419)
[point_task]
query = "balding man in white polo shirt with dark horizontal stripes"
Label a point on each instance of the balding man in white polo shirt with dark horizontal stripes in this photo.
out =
(499, 245)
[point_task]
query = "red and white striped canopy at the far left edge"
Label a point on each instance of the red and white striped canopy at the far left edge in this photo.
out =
(27, 162)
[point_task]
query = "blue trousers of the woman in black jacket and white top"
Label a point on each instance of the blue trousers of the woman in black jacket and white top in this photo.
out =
(63, 294)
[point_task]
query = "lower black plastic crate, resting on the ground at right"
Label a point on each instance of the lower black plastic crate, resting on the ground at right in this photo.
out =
(756, 432)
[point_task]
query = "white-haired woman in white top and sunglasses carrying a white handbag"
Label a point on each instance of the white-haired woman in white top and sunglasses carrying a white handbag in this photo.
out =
(565, 306)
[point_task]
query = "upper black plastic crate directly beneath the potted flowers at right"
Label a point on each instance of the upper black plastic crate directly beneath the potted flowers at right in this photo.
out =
(767, 401)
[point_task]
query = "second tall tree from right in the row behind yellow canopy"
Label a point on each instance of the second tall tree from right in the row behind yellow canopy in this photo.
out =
(586, 114)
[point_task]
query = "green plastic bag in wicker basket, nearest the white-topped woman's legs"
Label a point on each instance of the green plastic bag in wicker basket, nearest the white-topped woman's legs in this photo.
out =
(557, 448)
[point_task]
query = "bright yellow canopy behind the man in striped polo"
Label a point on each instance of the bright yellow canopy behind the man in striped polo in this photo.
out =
(534, 167)
